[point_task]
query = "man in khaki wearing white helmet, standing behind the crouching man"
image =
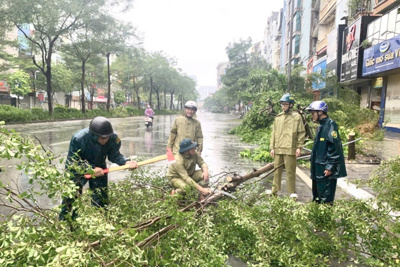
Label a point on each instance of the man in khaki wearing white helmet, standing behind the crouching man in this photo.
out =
(186, 126)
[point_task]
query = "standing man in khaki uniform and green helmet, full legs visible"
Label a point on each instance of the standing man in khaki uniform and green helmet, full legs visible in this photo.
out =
(287, 138)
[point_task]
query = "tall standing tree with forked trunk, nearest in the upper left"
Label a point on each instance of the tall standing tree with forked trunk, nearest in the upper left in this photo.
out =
(51, 21)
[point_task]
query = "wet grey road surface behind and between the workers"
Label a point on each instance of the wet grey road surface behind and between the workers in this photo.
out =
(221, 150)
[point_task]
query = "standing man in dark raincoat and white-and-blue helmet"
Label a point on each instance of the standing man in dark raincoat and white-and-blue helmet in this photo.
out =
(327, 160)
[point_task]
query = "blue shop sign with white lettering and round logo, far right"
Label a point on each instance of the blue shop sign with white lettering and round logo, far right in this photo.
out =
(382, 57)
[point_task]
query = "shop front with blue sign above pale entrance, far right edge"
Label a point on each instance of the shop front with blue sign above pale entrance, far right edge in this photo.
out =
(381, 64)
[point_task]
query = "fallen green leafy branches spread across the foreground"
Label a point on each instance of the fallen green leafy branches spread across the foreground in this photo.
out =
(144, 226)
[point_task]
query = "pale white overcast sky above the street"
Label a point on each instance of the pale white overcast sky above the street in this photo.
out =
(196, 32)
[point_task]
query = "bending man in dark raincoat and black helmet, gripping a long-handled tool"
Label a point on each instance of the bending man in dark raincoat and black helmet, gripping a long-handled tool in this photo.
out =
(92, 146)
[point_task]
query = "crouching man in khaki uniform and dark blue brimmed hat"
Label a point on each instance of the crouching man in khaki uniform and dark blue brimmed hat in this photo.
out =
(183, 174)
